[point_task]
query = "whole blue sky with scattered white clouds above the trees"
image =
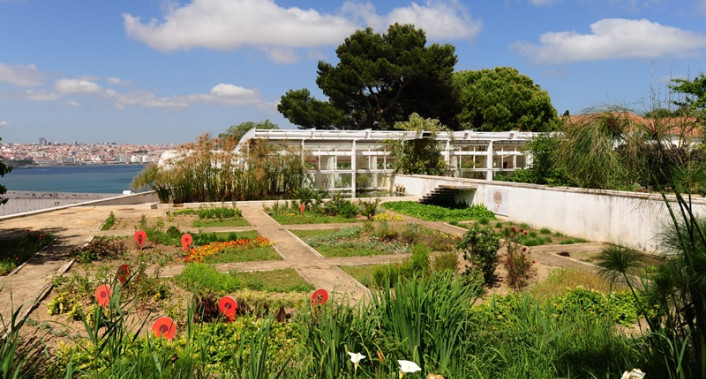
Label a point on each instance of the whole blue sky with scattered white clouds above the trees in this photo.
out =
(159, 71)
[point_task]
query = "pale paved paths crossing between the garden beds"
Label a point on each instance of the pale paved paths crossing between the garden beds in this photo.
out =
(74, 226)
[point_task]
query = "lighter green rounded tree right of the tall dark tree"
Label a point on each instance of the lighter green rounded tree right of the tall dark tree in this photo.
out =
(502, 99)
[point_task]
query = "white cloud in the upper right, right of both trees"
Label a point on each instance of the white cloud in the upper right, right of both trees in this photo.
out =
(613, 38)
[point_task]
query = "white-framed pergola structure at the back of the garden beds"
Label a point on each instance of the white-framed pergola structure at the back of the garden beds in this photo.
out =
(349, 160)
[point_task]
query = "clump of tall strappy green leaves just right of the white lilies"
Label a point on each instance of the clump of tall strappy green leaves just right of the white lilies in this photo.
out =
(425, 319)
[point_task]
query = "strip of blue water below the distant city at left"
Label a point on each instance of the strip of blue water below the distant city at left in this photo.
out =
(78, 179)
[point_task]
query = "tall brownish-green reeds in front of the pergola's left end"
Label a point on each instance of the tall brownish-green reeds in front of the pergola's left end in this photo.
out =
(211, 170)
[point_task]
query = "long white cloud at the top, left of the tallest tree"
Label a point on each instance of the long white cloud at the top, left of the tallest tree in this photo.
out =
(228, 24)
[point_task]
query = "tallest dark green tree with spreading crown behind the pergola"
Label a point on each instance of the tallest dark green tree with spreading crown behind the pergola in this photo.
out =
(380, 79)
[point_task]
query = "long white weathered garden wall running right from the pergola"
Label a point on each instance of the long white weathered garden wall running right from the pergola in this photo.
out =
(628, 218)
